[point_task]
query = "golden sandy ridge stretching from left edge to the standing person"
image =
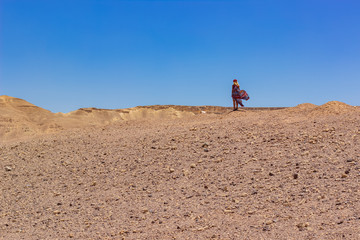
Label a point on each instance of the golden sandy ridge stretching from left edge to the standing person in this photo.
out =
(20, 119)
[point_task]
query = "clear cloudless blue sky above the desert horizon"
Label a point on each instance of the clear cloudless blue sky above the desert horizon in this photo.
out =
(65, 54)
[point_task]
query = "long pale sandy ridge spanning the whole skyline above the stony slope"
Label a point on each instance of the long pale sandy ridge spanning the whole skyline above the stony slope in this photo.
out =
(20, 119)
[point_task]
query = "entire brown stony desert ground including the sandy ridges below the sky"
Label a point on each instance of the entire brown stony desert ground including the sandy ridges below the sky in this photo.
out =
(179, 172)
